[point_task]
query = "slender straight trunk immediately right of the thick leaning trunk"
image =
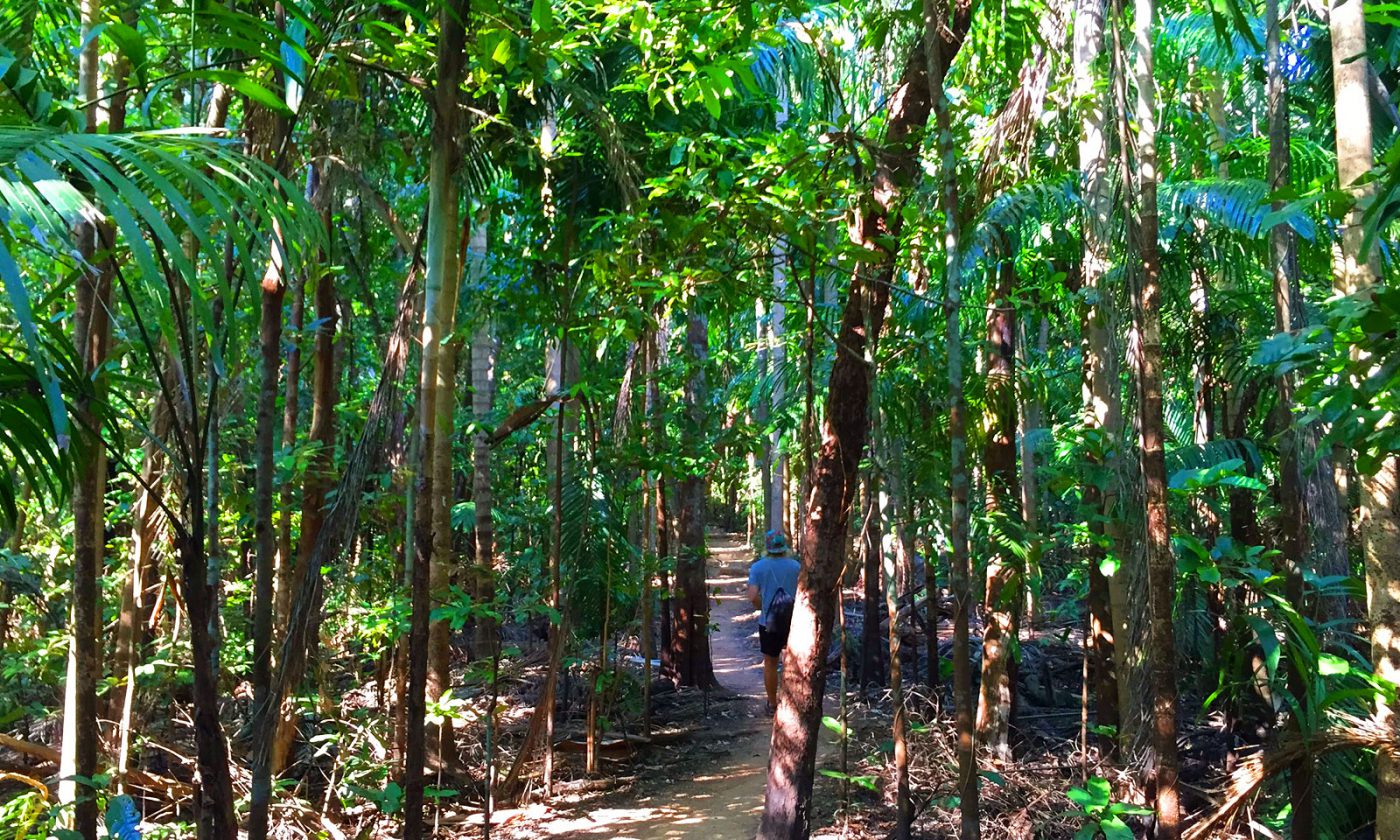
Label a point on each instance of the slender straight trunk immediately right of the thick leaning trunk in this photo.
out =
(944, 30)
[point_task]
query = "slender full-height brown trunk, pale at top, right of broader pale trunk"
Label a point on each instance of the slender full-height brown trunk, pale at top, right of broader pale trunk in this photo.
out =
(1161, 565)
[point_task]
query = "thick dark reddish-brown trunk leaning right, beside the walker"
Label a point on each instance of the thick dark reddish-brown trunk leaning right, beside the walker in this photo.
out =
(835, 474)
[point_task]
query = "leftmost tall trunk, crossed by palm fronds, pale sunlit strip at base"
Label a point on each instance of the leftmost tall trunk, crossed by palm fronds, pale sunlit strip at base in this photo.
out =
(92, 335)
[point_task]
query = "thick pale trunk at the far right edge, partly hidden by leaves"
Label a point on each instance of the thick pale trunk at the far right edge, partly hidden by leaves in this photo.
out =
(1357, 274)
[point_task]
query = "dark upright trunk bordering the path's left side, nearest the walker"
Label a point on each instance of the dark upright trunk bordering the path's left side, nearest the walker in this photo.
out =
(692, 600)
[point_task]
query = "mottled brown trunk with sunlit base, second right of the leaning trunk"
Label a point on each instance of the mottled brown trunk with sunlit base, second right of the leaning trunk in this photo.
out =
(1002, 604)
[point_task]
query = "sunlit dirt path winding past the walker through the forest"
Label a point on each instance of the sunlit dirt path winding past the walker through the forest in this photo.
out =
(722, 799)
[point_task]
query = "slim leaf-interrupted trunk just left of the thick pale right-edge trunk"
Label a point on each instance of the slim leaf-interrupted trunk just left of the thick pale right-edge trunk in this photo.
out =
(1289, 318)
